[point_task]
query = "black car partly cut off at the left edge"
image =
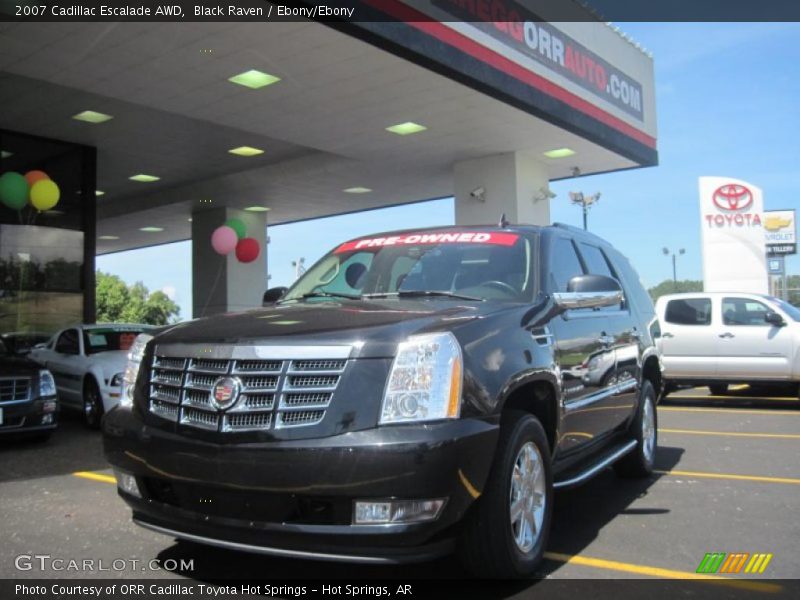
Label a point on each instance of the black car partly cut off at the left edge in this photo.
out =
(28, 403)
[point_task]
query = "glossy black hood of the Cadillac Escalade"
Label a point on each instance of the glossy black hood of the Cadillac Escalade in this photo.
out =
(377, 325)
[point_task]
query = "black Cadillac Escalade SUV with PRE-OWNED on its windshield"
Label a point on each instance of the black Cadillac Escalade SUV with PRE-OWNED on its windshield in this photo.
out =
(413, 393)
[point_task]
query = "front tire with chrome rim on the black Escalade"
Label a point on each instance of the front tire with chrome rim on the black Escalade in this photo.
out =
(493, 545)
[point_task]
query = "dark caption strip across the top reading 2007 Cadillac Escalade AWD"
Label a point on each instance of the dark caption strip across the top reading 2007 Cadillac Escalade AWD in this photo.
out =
(387, 10)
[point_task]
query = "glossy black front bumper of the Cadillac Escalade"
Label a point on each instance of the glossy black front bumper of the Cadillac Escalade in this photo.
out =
(295, 498)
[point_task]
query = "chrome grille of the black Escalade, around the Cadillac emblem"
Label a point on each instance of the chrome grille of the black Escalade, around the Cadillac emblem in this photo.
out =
(275, 393)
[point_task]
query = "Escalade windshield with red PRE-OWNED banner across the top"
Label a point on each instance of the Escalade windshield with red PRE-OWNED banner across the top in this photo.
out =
(469, 265)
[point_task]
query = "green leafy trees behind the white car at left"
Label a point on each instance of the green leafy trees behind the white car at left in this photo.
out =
(118, 303)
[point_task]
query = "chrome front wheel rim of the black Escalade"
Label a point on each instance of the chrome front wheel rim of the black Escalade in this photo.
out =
(527, 497)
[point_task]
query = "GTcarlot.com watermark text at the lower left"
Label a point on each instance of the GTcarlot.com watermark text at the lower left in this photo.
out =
(49, 563)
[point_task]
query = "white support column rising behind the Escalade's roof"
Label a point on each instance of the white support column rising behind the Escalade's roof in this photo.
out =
(512, 183)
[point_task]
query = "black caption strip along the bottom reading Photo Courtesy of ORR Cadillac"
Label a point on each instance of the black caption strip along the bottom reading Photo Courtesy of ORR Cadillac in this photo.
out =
(550, 589)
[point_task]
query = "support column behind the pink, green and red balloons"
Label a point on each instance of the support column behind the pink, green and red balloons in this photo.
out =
(222, 283)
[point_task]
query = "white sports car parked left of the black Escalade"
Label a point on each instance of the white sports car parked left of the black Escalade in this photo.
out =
(88, 363)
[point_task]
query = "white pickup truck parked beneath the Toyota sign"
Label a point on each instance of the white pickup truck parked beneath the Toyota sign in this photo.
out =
(721, 338)
